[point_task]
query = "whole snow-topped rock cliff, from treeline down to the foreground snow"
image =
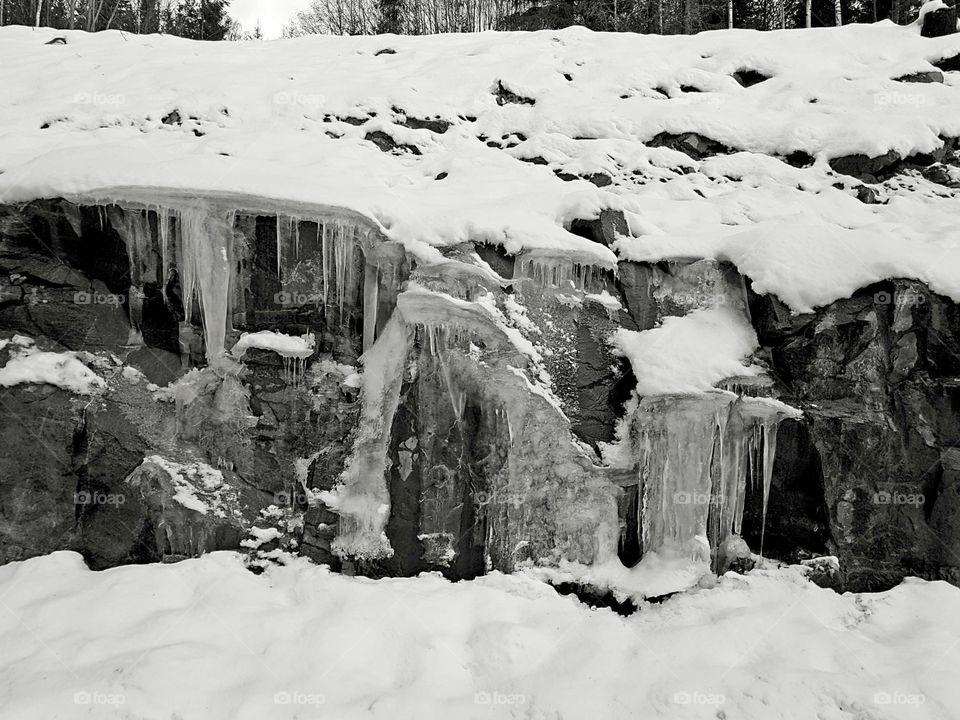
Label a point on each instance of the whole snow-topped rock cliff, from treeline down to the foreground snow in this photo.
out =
(624, 310)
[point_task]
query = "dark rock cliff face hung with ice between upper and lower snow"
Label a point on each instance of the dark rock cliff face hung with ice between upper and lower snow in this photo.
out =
(444, 448)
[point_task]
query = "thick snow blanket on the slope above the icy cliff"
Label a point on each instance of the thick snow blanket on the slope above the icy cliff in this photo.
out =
(285, 125)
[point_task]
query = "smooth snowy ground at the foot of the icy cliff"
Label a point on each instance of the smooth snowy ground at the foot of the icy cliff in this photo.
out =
(205, 639)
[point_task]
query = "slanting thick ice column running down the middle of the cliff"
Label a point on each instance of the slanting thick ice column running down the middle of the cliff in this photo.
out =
(361, 497)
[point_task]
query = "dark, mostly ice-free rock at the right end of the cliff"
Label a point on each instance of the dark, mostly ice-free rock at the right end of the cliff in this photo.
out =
(875, 376)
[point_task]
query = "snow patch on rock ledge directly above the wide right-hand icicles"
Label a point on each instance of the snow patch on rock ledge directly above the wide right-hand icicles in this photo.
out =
(689, 354)
